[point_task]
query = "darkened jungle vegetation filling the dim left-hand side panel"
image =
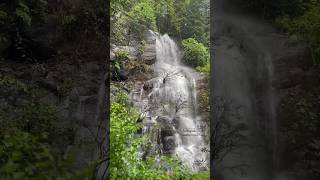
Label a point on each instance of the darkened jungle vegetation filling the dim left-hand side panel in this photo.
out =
(39, 35)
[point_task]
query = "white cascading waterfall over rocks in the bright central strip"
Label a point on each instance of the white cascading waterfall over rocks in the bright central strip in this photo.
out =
(169, 104)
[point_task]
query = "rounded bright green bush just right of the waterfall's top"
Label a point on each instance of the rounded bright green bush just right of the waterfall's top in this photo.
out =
(195, 53)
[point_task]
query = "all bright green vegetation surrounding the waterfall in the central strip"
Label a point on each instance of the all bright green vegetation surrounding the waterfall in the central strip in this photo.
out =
(186, 21)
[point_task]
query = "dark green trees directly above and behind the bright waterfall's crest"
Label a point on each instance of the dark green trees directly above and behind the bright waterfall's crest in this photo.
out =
(183, 19)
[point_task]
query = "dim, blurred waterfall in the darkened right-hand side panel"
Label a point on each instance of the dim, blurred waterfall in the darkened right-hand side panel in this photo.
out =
(245, 50)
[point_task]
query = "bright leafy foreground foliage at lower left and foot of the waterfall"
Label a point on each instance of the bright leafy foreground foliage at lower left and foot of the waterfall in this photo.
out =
(124, 149)
